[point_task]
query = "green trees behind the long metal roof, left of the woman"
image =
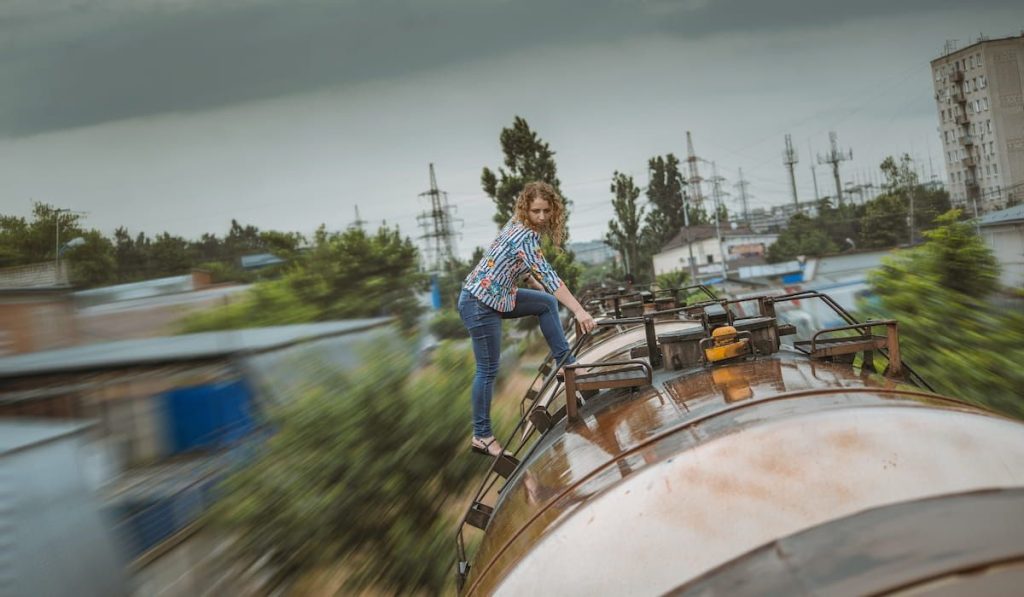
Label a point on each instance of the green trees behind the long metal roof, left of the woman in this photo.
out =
(345, 276)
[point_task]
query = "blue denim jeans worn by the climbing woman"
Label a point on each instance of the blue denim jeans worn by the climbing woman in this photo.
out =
(485, 325)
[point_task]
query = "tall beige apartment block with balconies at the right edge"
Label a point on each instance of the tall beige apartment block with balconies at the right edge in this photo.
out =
(980, 107)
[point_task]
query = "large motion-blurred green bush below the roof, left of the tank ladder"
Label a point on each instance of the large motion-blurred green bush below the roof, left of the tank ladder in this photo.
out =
(363, 475)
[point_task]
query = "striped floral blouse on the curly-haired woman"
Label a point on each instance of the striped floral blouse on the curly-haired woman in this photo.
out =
(517, 251)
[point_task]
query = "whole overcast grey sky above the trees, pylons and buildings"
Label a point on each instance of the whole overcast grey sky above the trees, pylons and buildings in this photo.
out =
(180, 115)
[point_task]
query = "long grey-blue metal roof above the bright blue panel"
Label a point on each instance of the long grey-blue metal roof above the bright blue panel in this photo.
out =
(177, 349)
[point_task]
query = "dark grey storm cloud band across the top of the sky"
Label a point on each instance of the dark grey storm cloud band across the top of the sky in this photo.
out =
(88, 62)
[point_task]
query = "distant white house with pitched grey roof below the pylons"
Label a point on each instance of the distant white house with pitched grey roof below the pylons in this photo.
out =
(740, 247)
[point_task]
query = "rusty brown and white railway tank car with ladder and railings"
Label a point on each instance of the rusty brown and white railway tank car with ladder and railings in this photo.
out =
(692, 451)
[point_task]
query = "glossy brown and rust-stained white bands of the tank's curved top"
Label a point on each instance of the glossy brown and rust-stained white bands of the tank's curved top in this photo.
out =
(704, 466)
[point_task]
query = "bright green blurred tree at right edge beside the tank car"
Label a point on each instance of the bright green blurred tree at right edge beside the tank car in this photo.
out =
(950, 331)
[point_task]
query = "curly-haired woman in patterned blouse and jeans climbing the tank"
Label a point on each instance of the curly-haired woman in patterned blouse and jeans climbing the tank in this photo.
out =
(490, 295)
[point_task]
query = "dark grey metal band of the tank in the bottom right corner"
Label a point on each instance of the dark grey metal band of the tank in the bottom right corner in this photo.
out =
(917, 544)
